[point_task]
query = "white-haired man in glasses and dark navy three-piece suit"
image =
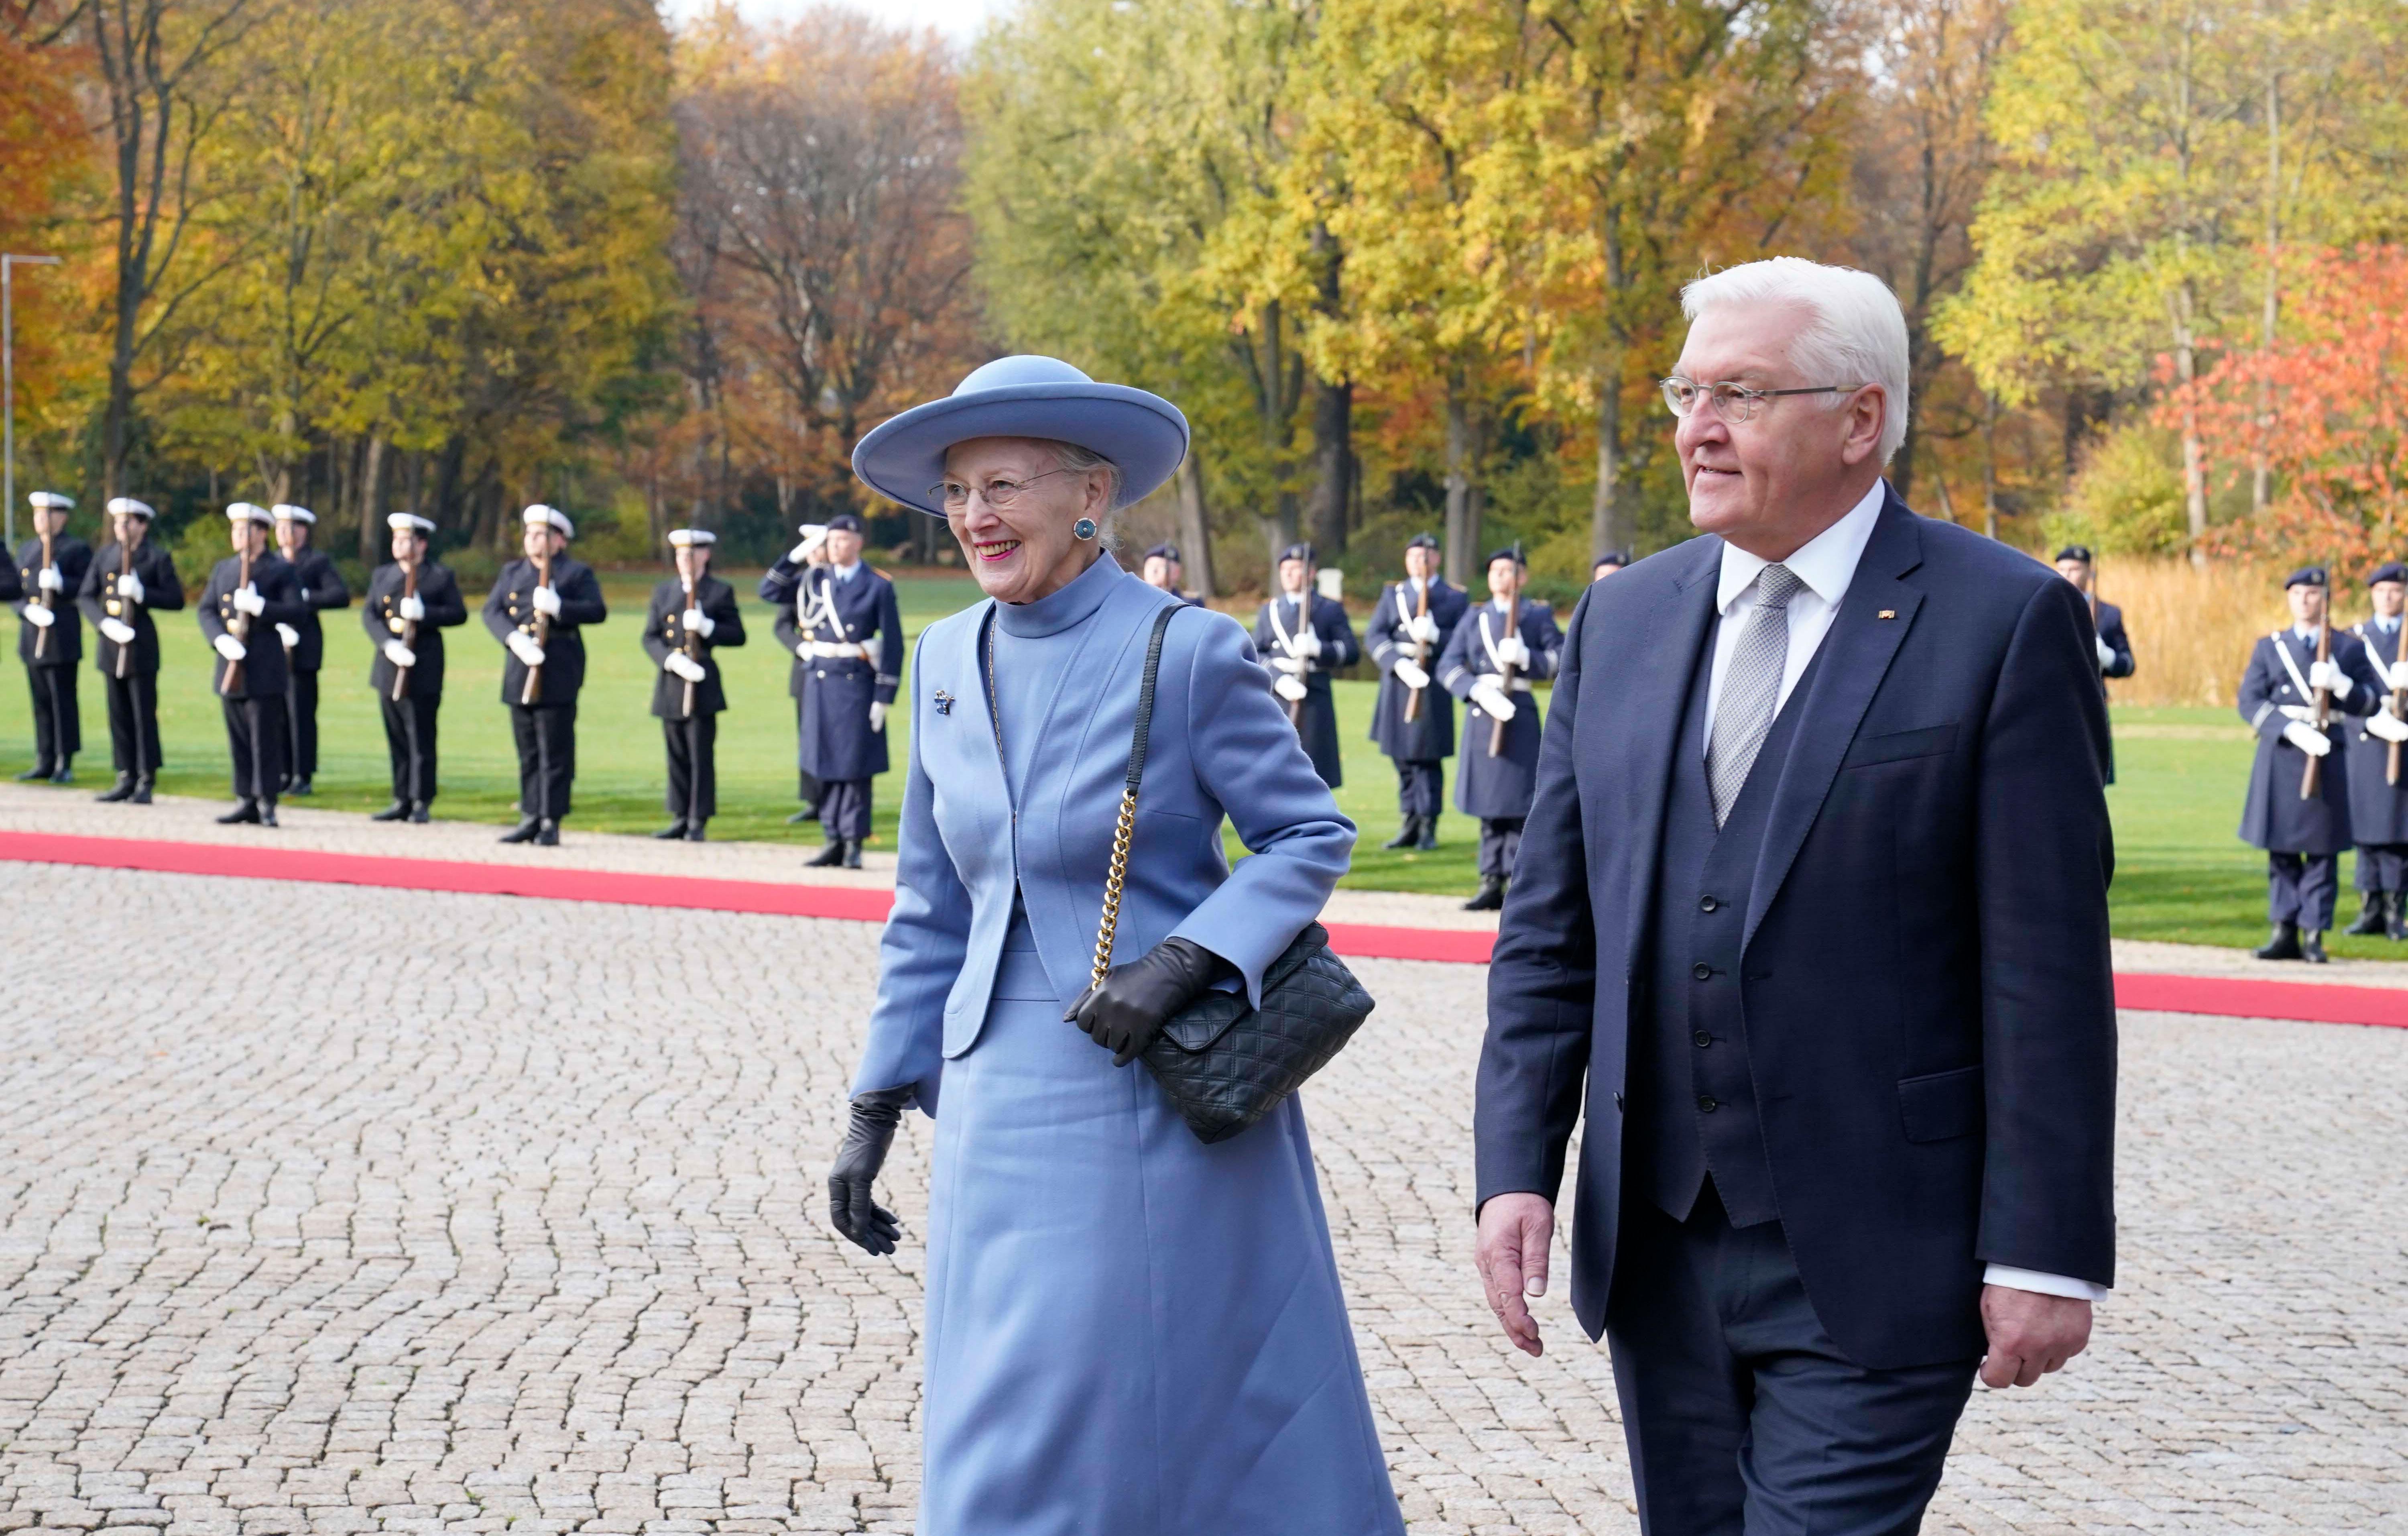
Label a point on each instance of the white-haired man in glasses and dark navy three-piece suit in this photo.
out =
(1812, 926)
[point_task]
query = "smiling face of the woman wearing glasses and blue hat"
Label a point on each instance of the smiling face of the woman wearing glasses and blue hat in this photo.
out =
(1027, 548)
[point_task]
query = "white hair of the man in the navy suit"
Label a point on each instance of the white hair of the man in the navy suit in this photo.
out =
(1858, 333)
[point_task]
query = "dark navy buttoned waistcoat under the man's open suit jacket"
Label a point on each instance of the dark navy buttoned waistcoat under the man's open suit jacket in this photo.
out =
(1696, 1046)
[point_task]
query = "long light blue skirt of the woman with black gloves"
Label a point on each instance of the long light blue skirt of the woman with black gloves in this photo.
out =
(1128, 1333)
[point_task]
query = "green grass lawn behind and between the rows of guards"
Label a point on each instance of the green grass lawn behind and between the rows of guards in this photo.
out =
(2180, 870)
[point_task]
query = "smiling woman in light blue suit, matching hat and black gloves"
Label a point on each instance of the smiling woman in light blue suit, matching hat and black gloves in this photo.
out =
(1128, 1333)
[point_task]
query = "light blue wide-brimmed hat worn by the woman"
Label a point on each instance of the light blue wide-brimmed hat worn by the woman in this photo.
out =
(1025, 398)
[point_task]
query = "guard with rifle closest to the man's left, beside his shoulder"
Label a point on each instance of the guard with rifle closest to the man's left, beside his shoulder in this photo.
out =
(1492, 661)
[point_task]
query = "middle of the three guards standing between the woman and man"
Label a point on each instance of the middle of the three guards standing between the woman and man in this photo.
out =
(1412, 721)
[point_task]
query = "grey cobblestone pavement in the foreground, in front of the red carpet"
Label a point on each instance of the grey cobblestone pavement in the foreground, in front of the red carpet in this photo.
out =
(336, 1210)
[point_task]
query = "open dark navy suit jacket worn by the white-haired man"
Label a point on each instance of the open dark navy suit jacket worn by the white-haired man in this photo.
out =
(1928, 993)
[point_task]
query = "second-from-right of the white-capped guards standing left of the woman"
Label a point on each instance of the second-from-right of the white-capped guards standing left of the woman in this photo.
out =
(536, 610)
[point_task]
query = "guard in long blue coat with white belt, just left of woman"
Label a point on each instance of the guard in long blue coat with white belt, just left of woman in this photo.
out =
(851, 634)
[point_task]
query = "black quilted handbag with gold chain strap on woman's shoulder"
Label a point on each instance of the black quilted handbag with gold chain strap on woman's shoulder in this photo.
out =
(1222, 1061)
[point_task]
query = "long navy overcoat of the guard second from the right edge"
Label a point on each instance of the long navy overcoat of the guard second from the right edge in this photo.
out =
(2274, 817)
